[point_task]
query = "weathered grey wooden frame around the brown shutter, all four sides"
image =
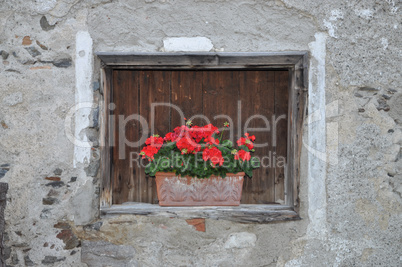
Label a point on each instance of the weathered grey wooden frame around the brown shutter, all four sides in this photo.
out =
(297, 65)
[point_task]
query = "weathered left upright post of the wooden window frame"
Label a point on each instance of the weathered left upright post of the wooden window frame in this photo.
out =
(106, 185)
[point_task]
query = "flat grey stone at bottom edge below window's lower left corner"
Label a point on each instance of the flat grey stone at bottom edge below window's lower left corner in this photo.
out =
(101, 253)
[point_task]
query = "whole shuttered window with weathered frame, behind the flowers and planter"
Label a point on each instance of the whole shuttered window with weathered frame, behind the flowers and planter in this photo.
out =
(263, 91)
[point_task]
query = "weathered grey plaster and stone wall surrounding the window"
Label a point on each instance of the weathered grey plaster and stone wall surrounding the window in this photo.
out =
(351, 185)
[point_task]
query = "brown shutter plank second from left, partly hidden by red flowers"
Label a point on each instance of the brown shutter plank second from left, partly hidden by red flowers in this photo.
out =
(154, 88)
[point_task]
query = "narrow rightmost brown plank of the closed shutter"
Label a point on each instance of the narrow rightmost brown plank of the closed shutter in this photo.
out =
(280, 132)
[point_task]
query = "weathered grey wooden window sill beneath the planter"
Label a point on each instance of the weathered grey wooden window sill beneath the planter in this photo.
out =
(245, 213)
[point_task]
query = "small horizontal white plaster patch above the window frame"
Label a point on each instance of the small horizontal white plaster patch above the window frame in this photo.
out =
(187, 44)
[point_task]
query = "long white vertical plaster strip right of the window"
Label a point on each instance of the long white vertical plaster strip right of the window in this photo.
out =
(317, 138)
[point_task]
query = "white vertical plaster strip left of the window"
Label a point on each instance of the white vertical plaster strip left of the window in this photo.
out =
(83, 95)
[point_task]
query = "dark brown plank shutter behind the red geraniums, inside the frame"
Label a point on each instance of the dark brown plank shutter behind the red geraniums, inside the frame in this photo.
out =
(208, 92)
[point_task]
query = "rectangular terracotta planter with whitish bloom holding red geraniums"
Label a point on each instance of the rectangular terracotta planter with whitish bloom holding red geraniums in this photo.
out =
(174, 190)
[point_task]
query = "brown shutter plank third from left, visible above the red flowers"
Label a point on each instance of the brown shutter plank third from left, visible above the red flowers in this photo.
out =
(187, 94)
